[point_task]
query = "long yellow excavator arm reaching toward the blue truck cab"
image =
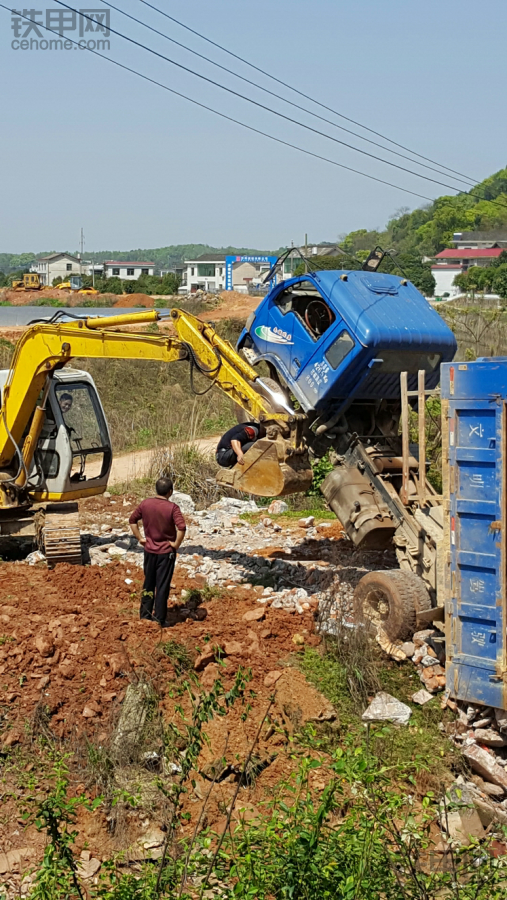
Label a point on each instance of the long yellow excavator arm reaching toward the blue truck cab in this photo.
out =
(48, 346)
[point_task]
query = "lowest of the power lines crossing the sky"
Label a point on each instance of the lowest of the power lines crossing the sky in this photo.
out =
(222, 115)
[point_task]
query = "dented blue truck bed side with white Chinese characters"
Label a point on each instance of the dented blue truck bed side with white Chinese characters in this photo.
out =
(475, 428)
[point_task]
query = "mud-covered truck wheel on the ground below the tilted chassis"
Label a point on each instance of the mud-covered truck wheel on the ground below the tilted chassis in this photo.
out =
(391, 600)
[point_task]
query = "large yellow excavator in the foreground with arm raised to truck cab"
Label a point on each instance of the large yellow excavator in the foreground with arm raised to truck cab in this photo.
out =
(53, 430)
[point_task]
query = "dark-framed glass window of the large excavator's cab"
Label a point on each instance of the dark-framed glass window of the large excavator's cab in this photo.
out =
(82, 416)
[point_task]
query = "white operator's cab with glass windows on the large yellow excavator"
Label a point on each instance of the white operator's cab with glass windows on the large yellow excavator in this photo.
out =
(74, 453)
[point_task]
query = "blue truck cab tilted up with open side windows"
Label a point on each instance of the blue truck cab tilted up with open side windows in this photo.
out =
(334, 335)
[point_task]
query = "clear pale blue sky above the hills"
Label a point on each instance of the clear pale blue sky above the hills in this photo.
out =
(89, 145)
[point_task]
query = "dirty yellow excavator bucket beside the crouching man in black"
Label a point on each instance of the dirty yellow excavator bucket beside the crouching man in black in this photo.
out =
(271, 469)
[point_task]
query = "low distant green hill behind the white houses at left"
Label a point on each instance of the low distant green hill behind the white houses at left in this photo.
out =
(163, 257)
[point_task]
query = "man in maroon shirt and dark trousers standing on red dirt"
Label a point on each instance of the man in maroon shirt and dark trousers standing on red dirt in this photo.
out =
(164, 529)
